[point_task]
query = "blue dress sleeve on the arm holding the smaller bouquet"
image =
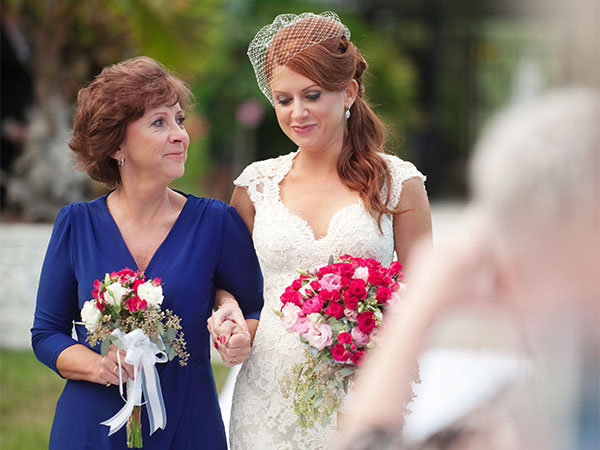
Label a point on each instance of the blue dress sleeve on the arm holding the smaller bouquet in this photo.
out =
(56, 305)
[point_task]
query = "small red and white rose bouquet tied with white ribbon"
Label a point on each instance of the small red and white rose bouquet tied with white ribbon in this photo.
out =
(125, 311)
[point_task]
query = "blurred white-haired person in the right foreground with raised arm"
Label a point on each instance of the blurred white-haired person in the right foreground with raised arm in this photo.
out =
(532, 245)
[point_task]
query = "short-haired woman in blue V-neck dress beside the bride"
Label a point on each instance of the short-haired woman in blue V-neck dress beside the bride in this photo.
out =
(129, 133)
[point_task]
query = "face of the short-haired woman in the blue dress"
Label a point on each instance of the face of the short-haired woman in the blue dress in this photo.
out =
(155, 144)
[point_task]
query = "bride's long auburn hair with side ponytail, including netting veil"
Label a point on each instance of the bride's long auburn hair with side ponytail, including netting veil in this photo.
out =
(318, 47)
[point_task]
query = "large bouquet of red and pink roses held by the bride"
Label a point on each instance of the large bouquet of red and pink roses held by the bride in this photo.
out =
(337, 311)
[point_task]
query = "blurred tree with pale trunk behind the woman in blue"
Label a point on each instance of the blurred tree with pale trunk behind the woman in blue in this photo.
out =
(71, 41)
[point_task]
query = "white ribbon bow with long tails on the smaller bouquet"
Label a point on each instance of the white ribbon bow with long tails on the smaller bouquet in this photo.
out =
(142, 354)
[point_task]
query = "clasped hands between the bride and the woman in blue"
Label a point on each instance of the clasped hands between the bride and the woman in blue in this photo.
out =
(229, 333)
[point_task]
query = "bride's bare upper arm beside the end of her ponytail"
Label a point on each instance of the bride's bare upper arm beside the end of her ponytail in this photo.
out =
(412, 223)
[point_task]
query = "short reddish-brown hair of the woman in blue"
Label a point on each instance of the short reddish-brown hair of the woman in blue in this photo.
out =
(119, 95)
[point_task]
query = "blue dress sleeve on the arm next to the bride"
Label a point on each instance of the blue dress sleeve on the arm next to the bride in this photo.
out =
(238, 270)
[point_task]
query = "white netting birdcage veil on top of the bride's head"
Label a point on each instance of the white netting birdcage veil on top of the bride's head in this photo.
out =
(277, 43)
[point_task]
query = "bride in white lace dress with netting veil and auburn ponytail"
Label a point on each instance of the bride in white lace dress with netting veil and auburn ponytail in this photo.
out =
(338, 193)
